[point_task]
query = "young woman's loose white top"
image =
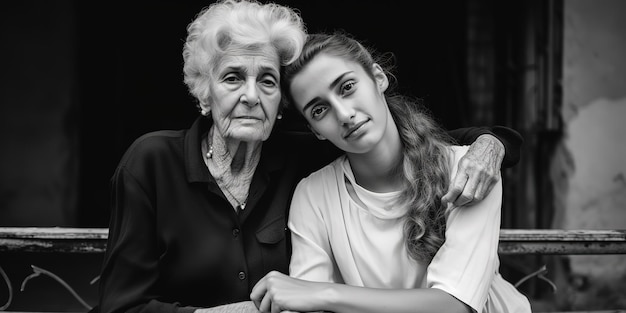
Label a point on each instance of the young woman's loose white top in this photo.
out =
(338, 239)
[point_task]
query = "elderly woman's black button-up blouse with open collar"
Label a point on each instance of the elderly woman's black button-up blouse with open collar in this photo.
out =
(175, 242)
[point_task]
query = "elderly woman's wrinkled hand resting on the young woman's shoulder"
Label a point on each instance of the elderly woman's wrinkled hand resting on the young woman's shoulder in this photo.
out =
(479, 170)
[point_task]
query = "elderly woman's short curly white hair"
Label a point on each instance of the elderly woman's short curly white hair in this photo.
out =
(245, 24)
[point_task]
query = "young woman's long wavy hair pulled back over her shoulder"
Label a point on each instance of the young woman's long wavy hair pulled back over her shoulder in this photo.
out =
(425, 166)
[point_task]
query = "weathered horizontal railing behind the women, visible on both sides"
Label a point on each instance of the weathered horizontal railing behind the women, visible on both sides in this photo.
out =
(512, 242)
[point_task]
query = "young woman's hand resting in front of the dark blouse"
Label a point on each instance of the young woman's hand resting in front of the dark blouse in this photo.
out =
(277, 292)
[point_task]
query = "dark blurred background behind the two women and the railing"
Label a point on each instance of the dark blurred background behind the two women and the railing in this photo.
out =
(80, 80)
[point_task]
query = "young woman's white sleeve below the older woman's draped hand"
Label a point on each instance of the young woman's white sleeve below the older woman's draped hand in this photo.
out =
(467, 262)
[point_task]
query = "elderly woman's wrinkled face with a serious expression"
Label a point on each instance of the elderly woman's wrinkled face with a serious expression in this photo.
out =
(245, 94)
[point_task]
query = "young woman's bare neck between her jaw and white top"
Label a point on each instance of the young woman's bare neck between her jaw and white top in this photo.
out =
(377, 170)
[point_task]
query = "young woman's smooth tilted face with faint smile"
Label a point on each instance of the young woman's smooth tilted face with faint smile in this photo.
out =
(342, 103)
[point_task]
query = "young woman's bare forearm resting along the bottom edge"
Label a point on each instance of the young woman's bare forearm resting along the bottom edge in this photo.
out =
(347, 299)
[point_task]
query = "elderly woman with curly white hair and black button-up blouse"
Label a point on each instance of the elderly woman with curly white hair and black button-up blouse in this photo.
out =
(199, 215)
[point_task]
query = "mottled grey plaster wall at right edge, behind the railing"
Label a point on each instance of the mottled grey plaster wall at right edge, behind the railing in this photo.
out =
(589, 169)
